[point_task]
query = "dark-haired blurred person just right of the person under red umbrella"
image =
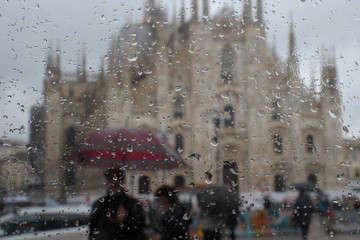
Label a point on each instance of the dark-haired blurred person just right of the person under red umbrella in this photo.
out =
(171, 219)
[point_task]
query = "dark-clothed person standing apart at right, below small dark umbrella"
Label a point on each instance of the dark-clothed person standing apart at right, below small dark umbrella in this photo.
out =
(302, 213)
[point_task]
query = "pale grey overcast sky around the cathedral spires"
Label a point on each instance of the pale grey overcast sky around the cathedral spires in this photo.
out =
(30, 27)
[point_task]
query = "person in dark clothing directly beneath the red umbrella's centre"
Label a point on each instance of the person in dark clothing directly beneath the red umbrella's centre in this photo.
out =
(117, 215)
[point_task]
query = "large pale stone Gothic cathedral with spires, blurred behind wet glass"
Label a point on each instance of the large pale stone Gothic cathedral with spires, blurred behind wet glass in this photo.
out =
(216, 88)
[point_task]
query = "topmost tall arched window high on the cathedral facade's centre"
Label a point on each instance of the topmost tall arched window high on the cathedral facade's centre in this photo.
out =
(227, 64)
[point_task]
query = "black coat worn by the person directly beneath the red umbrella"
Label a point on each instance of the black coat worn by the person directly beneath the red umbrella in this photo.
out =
(101, 227)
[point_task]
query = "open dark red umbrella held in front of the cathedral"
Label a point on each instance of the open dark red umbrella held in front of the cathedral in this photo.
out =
(132, 148)
